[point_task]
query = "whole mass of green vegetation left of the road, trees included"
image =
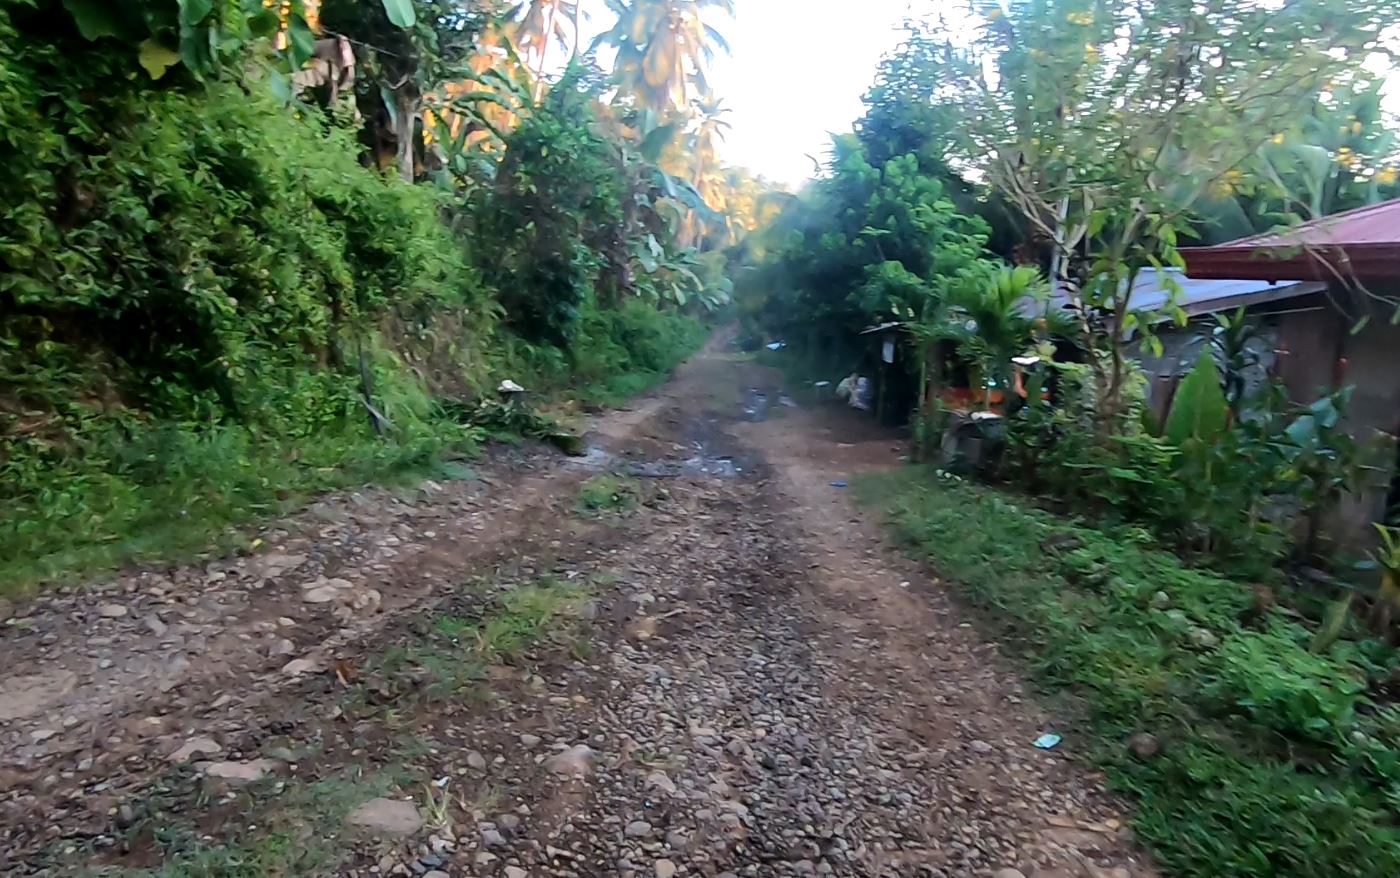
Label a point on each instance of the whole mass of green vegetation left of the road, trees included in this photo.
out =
(213, 305)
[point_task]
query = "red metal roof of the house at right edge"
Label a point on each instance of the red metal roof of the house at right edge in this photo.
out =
(1361, 244)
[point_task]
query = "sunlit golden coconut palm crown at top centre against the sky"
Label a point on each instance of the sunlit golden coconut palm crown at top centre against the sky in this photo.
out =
(664, 50)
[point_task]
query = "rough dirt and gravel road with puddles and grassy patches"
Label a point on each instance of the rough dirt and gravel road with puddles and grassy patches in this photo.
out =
(720, 670)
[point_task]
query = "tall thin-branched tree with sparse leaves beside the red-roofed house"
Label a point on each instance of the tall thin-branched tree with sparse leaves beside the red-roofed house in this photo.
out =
(1105, 124)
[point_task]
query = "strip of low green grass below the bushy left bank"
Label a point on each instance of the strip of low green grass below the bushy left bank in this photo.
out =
(178, 496)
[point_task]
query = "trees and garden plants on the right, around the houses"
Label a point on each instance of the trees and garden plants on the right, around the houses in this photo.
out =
(1007, 187)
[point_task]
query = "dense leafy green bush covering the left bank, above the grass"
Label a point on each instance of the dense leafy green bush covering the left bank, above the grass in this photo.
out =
(195, 247)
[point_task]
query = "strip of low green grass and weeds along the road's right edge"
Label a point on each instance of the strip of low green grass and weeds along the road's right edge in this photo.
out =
(1272, 760)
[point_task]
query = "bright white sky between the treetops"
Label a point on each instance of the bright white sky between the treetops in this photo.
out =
(797, 72)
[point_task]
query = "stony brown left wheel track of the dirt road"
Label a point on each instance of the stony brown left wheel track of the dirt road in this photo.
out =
(100, 685)
